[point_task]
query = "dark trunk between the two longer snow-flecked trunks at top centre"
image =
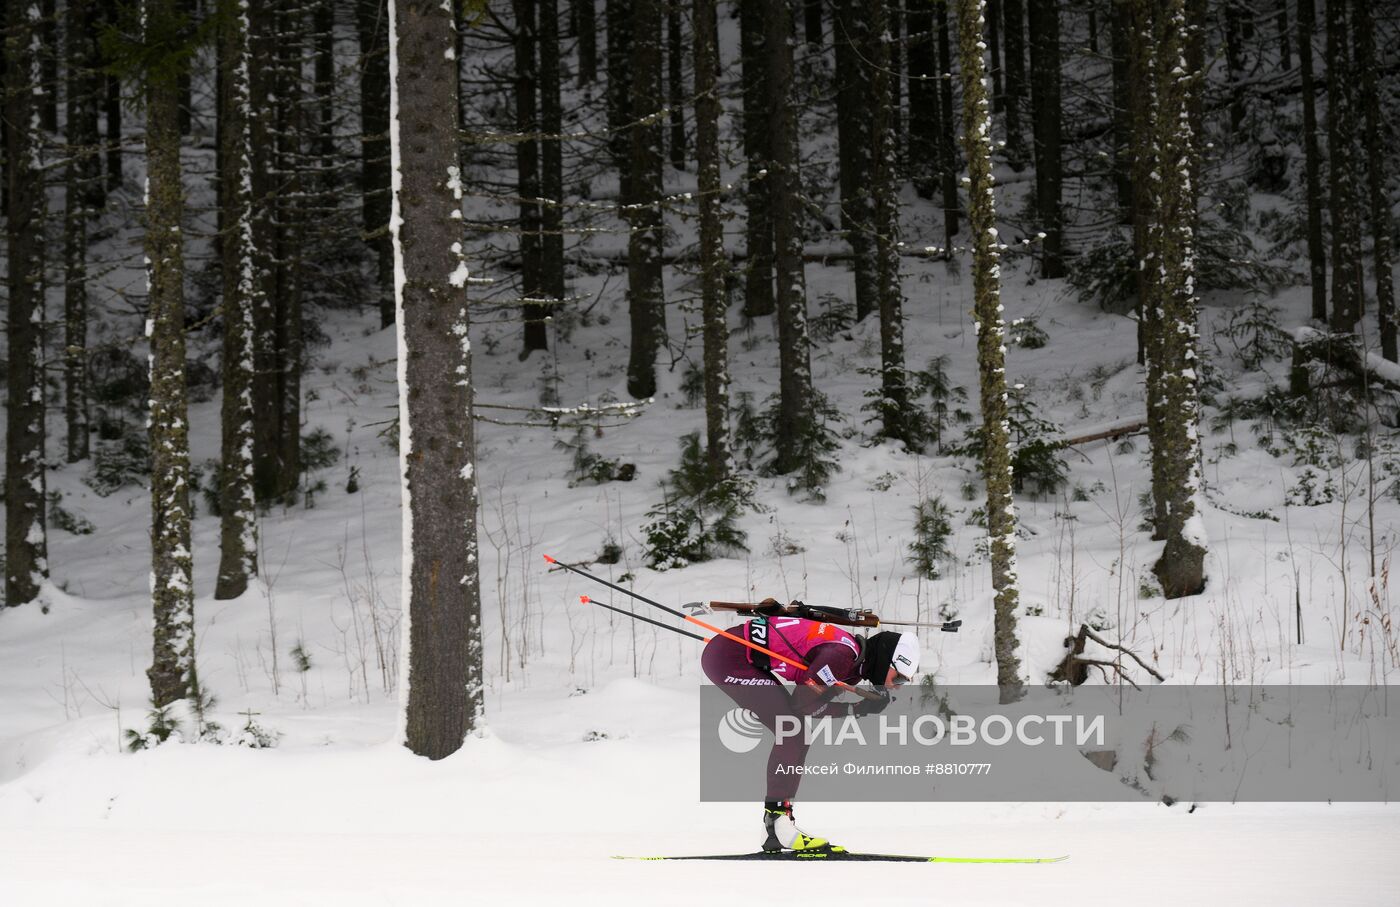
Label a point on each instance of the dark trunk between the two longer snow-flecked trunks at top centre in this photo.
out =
(759, 194)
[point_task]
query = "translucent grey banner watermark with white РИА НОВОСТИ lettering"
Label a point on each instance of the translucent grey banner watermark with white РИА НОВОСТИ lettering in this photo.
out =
(1079, 744)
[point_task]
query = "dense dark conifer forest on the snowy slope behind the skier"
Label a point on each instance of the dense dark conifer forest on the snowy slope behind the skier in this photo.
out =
(286, 275)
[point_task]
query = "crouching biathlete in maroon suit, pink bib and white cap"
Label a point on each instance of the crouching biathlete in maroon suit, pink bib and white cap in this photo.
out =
(834, 657)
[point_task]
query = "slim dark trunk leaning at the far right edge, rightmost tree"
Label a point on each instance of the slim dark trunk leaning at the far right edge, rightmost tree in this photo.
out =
(1377, 176)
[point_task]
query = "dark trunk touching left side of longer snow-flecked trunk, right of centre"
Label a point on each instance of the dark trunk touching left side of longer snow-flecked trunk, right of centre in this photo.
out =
(852, 41)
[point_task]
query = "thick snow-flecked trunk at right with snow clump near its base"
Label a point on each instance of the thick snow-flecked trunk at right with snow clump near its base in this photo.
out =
(1171, 278)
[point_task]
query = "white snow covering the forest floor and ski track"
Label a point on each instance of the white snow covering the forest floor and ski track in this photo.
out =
(593, 747)
